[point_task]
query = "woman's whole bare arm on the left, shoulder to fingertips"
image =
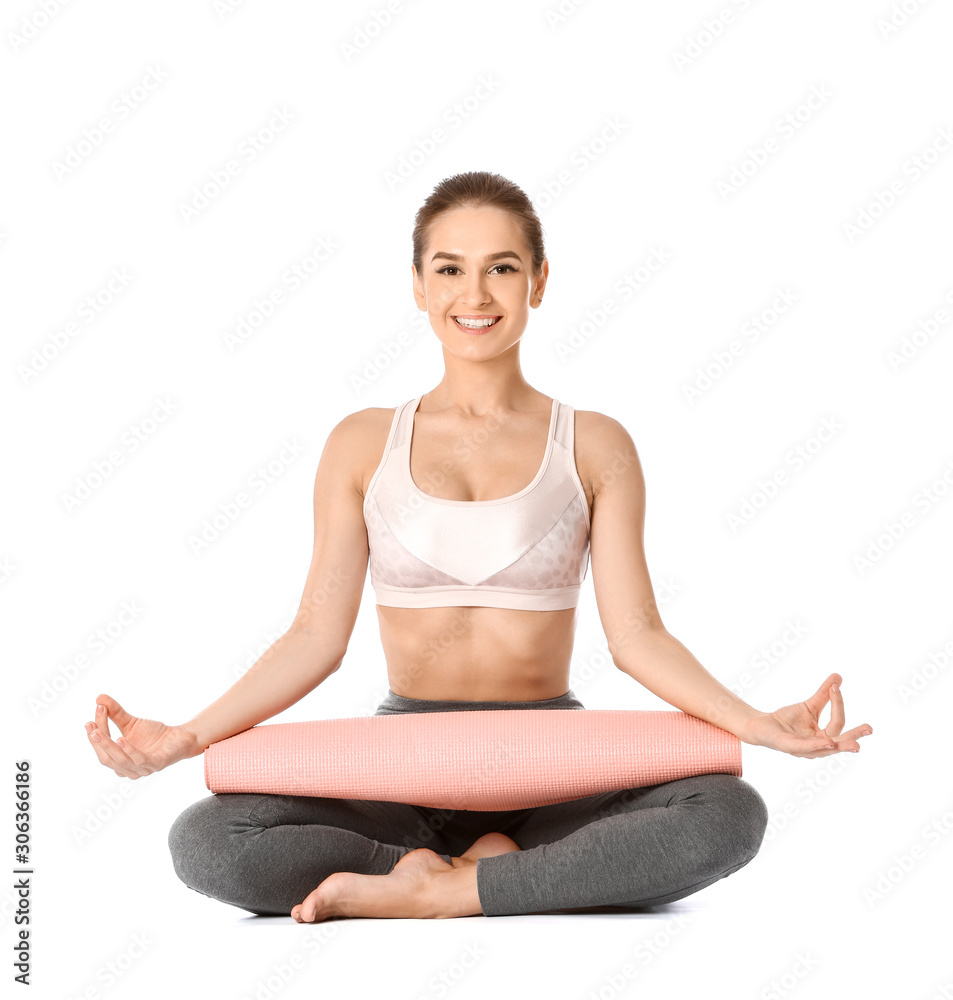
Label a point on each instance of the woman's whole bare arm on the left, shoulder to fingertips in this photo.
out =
(301, 659)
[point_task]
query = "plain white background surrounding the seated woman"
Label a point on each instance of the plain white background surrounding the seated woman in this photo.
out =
(807, 913)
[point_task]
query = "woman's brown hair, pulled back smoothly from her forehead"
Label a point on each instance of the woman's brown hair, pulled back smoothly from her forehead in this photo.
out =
(472, 190)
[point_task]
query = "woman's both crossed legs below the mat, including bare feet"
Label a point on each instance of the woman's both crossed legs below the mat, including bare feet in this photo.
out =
(319, 857)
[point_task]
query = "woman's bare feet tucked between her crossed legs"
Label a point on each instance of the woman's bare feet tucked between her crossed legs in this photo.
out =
(421, 884)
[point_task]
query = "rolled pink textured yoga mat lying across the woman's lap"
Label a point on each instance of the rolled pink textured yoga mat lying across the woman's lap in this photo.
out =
(480, 760)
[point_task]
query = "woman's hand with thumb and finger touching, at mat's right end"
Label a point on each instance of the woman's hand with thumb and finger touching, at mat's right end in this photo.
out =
(795, 729)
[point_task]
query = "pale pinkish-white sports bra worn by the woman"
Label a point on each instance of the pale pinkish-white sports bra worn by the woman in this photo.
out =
(527, 551)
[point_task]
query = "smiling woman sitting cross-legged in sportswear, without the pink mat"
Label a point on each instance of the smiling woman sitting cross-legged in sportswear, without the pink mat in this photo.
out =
(478, 505)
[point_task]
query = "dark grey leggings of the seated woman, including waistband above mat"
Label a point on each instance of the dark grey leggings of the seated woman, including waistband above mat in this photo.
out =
(638, 847)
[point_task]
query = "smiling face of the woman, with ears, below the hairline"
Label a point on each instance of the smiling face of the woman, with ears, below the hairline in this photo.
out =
(478, 265)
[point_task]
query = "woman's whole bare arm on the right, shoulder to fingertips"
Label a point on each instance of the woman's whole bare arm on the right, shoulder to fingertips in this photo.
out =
(638, 641)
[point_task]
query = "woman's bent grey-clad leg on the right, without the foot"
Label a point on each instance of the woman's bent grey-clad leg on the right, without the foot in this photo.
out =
(638, 847)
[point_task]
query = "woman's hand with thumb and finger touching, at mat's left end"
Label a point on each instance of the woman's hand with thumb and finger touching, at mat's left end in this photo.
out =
(145, 745)
